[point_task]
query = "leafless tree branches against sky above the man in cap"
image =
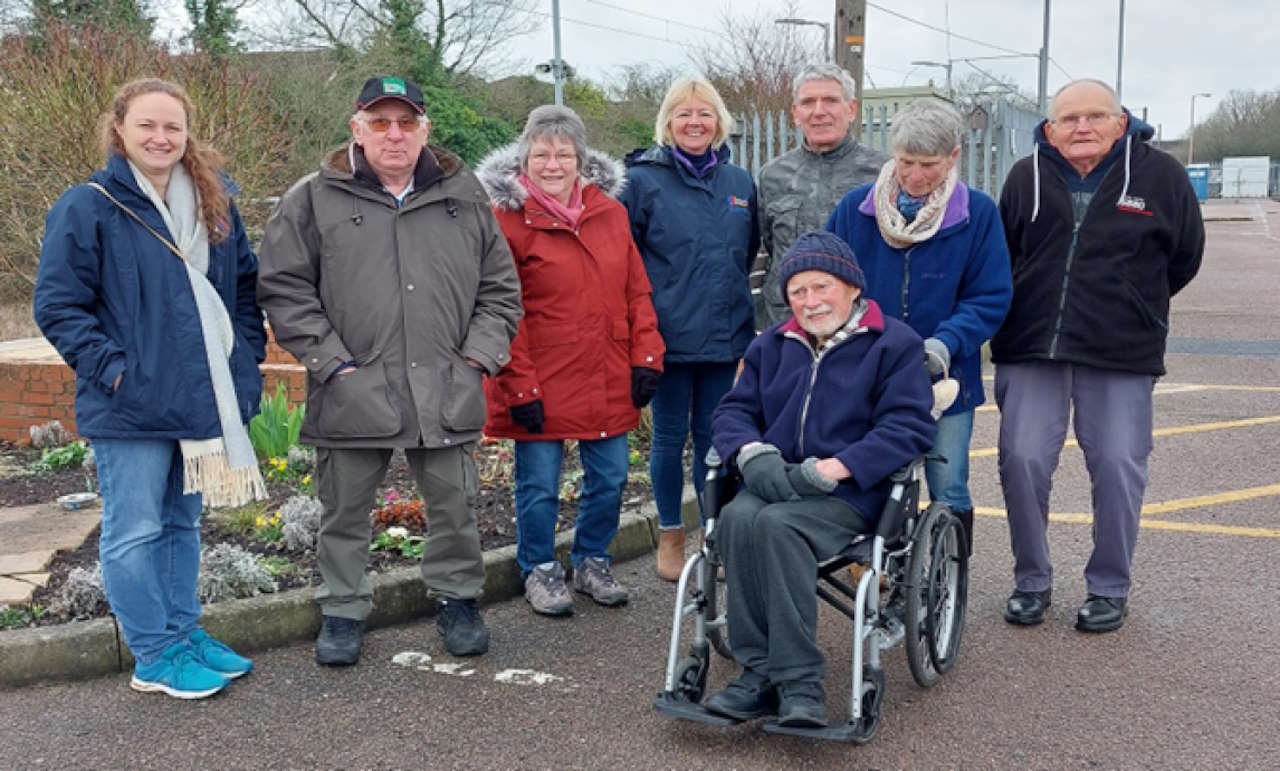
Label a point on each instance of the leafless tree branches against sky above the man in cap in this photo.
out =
(458, 37)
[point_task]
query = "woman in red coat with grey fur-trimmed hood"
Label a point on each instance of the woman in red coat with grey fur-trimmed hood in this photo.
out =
(588, 353)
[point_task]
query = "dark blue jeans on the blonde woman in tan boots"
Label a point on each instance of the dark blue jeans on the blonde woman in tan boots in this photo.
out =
(684, 389)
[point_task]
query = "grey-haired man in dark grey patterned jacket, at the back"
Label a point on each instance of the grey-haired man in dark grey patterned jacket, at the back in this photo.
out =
(799, 190)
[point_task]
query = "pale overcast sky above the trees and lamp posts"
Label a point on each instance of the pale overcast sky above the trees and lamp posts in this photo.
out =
(1172, 48)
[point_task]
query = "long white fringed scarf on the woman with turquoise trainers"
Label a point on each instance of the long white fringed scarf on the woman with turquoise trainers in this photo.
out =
(223, 469)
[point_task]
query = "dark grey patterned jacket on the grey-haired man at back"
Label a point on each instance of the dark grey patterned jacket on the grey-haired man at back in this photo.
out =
(798, 191)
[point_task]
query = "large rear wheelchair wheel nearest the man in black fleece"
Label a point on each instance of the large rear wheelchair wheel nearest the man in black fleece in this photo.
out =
(936, 587)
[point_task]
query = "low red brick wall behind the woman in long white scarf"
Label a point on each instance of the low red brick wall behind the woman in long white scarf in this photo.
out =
(36, 387)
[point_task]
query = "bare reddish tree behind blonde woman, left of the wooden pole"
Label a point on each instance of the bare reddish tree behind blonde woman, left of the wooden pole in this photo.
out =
(756, 60)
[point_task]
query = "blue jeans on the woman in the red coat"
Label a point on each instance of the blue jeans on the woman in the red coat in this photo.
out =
(538, 467)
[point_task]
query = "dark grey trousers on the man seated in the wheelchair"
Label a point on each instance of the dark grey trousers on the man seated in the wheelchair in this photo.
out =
(771, 555)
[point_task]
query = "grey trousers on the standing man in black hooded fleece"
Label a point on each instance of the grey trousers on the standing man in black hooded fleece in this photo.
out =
(1113, 425)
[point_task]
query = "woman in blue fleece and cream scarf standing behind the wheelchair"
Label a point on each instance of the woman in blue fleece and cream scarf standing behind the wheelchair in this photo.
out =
(935, 257)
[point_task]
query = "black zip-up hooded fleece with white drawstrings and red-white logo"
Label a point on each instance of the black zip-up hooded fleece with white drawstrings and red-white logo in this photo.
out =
(1098, 293)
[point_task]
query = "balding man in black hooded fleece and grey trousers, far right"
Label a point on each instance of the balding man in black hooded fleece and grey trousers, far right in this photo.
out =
(1103, 231)
